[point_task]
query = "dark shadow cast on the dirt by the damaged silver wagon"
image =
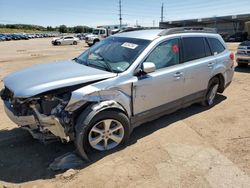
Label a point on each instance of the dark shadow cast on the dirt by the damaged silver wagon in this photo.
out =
(25, 159)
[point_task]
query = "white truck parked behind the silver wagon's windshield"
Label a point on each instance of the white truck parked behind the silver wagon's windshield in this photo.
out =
(97, 35)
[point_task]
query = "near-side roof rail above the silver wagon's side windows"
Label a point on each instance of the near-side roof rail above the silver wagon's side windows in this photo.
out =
(187, 30)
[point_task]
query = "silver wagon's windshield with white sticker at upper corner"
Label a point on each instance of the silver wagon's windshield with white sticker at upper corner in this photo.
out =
(114, 54)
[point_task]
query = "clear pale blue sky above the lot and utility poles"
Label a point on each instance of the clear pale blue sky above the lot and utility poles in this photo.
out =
(105, 12)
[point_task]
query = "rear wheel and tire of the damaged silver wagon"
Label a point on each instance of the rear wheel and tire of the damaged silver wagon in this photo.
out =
(211, 92)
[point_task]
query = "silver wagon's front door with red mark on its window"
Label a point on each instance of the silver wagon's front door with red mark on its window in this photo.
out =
(162, 89)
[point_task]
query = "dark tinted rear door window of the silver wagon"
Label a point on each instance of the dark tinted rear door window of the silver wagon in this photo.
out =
(193, 48)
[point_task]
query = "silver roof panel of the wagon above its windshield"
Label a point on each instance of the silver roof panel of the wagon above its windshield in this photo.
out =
(150, 34)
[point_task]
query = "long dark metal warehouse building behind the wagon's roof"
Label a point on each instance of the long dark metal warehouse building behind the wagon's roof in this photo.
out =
(225, 24)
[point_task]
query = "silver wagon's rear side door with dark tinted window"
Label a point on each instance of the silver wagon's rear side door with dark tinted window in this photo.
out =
(198, 62)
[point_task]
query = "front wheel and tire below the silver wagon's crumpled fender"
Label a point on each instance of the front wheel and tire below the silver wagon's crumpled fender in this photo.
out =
(85, 133)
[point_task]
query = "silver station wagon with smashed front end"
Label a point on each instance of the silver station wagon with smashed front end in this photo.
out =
(98, 98)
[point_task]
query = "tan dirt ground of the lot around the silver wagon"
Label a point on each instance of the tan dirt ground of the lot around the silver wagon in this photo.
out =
(193, 147)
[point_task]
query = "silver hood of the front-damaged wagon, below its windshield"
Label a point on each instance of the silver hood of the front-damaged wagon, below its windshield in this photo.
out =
(41, 78)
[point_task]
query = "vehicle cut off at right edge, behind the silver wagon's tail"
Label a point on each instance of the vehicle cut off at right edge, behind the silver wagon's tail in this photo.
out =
(243, 54)
